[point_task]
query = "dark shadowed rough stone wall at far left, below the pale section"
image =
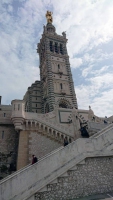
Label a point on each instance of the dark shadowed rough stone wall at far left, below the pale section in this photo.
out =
(8, 150)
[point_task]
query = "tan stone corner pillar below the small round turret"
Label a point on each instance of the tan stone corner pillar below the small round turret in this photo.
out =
(22, 159)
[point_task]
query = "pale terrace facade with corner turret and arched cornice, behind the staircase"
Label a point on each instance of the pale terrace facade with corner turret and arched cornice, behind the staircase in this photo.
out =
(42, 133)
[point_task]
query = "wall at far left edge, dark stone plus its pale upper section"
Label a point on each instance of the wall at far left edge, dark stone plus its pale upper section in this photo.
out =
(8, 142)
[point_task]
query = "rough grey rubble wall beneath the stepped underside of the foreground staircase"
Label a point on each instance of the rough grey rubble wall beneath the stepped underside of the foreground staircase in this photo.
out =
(92, 177)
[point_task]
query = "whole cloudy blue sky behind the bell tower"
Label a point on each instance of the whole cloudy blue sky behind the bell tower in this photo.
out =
(89, 28)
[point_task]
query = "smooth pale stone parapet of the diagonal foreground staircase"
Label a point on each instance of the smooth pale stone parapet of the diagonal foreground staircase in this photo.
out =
(25, 183)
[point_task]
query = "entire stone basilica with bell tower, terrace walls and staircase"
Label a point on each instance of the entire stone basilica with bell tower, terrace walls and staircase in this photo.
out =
(39, 124)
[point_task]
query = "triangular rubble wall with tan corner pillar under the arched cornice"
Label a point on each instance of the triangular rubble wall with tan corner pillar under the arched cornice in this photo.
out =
(34, 143)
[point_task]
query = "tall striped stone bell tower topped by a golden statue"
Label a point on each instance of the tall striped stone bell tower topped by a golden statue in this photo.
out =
(57, 88)
